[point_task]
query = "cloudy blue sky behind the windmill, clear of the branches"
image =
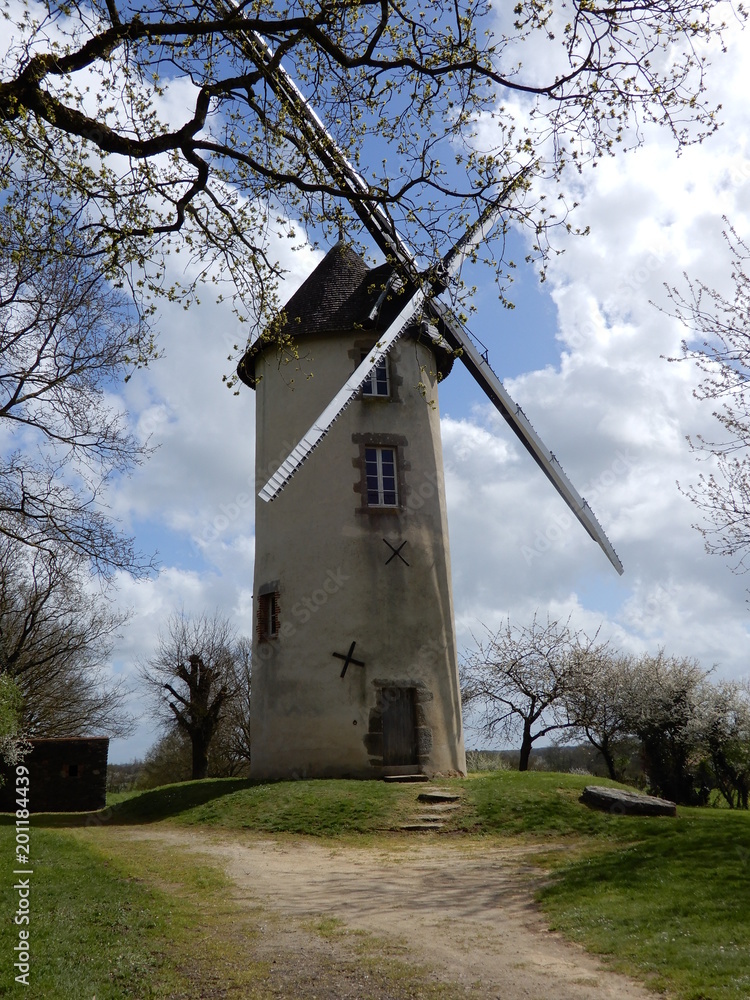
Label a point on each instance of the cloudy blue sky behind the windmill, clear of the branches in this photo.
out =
(584, 355)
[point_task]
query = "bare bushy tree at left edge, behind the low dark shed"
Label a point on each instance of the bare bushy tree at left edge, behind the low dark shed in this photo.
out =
(56, 636)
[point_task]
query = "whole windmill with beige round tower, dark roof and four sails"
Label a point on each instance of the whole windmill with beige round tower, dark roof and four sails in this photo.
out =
(354, 663)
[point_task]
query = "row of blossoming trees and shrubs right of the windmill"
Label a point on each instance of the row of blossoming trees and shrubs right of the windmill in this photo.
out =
(545, 679)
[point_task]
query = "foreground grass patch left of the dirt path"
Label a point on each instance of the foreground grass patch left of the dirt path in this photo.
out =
(115, 919)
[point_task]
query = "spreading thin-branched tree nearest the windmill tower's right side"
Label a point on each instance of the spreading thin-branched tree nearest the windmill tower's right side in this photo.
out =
(521, 676)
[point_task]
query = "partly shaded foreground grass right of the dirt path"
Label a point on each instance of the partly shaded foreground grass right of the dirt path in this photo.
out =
(673, 908)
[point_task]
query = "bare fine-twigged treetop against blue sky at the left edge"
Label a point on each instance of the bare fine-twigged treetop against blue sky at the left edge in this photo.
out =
(66, 336)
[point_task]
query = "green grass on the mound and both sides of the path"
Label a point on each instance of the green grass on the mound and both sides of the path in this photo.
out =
(667, 899)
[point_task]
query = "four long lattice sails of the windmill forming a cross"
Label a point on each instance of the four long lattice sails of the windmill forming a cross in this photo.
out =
(425, 289)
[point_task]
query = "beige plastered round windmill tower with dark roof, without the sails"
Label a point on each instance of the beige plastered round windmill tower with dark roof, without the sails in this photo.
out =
(333, 567)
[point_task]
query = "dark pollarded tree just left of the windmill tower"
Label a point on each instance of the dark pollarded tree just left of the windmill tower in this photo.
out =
(193, 677)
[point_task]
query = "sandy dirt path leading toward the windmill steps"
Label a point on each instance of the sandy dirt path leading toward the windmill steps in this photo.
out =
(465, 911)
